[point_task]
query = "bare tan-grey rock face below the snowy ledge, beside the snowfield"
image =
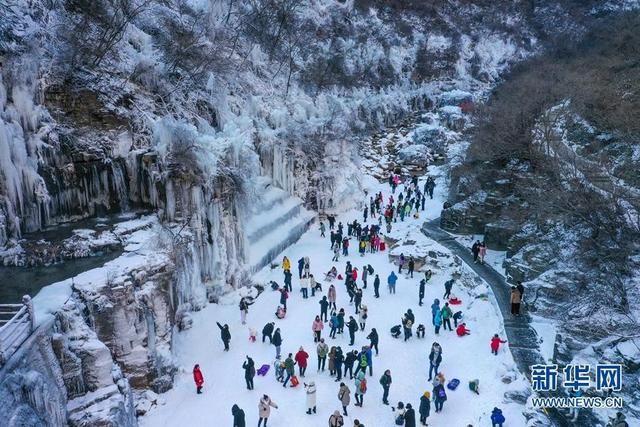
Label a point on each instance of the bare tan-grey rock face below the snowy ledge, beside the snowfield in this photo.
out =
(133, 317)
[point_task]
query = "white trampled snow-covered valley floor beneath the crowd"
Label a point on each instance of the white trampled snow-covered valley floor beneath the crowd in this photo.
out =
(465, 358)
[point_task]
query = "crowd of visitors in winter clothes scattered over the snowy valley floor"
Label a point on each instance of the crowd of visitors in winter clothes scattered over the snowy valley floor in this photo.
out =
(349, 366)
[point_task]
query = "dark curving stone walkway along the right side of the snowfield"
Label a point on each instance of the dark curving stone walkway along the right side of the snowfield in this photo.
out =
(523, 339)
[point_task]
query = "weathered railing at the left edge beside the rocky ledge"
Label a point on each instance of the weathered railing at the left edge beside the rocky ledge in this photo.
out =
(17, 322)
